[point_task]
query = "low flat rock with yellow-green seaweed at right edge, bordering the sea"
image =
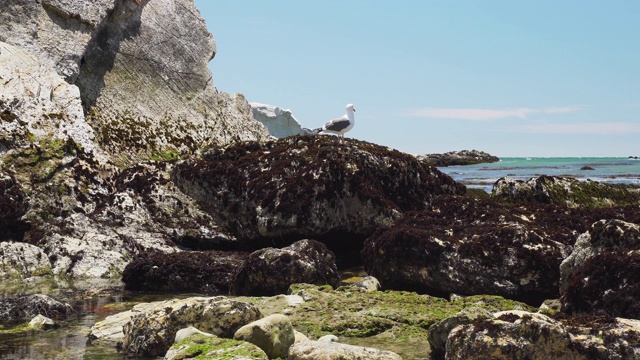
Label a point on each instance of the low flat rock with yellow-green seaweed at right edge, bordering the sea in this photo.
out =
(565, 191)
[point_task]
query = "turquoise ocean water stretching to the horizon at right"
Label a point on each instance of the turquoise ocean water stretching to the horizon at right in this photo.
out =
(616, 170)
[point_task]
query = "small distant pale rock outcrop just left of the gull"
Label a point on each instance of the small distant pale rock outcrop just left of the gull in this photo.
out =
(279, 122)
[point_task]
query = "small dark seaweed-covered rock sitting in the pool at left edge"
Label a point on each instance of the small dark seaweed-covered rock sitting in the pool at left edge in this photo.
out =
(24, 308)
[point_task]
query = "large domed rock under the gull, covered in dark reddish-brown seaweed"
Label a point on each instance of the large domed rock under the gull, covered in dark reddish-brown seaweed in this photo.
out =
(310, 187)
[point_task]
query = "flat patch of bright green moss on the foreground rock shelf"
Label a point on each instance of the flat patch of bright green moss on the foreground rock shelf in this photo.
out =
(350, 313)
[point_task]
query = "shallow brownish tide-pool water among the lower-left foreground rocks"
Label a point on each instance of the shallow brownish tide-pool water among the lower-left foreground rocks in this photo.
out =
(70, 340)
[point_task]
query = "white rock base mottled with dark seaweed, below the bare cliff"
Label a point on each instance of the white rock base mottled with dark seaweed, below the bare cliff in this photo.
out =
(92, 219)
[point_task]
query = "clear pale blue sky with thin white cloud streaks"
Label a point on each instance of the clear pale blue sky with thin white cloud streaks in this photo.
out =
(510, 77)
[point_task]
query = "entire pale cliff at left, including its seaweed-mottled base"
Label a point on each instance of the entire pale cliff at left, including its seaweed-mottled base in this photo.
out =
(89, 89)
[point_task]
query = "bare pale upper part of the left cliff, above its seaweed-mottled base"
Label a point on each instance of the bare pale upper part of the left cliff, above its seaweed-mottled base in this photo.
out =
(141, 72)
